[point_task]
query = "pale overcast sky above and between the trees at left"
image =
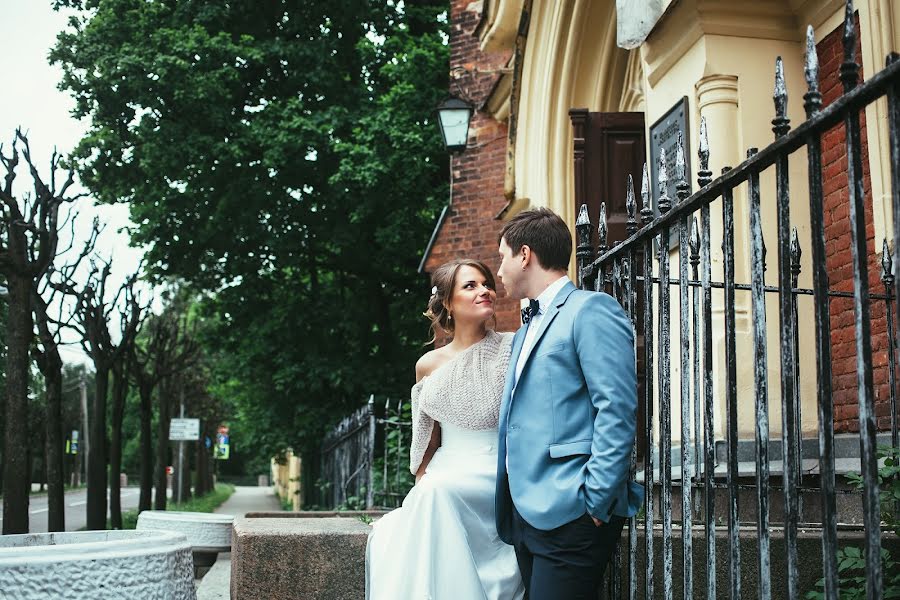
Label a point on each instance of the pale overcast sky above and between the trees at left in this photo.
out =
(30, 99)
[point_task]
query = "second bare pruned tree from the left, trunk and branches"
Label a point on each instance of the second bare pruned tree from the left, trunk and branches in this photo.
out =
(46, 294)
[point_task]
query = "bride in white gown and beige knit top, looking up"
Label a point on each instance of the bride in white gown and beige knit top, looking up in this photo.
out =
(442, 544)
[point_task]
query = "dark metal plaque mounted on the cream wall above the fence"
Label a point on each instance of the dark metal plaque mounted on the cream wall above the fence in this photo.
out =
(664, 134)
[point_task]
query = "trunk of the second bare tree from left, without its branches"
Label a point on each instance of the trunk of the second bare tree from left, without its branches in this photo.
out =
(56, 504)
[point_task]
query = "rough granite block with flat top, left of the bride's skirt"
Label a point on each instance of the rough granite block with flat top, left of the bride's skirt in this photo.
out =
(309, 558)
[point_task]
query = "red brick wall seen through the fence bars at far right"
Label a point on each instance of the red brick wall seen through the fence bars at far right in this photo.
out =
(839, 261)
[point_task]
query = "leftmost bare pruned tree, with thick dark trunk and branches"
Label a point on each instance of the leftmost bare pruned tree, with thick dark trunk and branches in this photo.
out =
(29, 238)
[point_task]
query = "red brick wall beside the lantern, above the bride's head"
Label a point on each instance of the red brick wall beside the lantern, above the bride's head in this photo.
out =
(470, 229)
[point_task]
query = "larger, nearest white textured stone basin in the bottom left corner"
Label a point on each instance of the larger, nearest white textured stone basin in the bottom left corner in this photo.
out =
(96, 565)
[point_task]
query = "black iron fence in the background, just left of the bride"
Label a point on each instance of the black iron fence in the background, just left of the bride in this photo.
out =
(365, 458)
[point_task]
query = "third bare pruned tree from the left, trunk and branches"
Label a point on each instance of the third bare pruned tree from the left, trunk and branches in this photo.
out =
(93, 312)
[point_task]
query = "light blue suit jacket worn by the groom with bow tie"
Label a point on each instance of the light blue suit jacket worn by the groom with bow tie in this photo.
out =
(567, 426)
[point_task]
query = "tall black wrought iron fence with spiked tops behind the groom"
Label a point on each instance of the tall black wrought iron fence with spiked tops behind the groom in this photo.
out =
(638, 272)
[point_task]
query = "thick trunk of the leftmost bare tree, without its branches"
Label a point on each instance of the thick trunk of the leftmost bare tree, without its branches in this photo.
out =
(16, 478)
